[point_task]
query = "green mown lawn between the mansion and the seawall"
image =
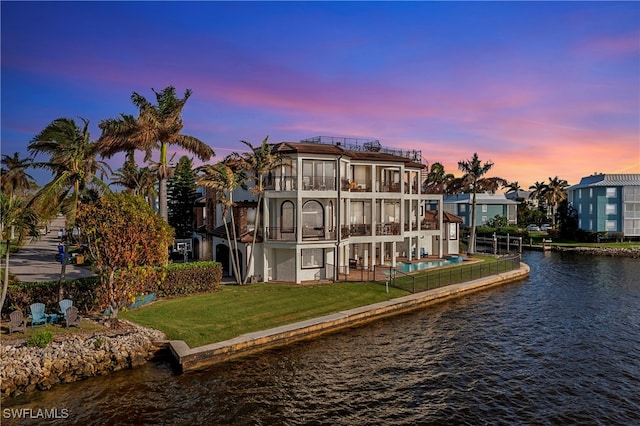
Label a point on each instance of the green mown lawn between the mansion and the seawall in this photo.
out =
(234, 310)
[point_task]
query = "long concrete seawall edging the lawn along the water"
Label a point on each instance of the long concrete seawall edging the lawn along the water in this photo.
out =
(203, 356)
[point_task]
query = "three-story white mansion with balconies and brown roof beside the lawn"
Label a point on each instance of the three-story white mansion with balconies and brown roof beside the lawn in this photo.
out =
(337, 204)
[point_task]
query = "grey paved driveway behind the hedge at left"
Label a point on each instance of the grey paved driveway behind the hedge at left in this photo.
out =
(36, 261)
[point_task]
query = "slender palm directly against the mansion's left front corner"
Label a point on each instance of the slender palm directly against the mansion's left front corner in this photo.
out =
(258, 163)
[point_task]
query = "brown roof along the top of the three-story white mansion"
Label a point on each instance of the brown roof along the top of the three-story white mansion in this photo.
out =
(336, 150)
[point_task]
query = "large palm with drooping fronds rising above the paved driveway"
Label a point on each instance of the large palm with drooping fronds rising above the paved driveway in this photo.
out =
(74, 164)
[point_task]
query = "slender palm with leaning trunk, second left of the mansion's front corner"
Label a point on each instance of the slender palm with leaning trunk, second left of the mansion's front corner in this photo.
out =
(224, 178)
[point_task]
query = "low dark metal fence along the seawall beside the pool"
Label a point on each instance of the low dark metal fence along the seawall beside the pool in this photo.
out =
(428, 280)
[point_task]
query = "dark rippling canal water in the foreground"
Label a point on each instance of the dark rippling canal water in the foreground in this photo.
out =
(561, 347)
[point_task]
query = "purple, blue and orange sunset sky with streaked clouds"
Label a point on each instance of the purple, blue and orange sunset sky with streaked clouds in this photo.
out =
(541, 89)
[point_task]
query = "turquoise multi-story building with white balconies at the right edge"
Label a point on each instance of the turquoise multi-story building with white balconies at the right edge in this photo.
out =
(608, 202)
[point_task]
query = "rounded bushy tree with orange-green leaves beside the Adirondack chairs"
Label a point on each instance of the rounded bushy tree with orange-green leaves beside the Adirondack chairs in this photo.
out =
(122, 231)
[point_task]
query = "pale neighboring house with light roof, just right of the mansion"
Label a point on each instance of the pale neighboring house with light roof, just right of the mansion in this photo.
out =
(488, 206)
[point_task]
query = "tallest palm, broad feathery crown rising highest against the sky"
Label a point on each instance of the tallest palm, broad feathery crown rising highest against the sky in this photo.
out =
(156, 127)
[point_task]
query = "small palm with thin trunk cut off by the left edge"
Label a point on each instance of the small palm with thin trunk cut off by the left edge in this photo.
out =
(17, 221)
